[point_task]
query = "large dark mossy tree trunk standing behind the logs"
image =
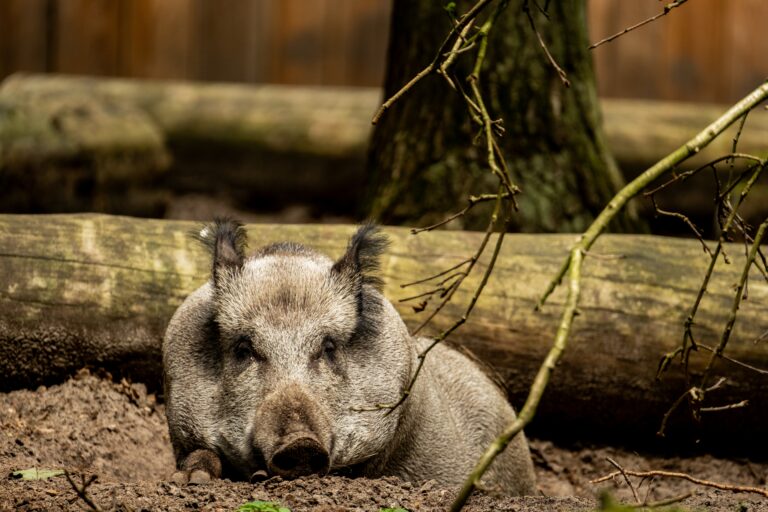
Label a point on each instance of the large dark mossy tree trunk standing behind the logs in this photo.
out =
(421, 159)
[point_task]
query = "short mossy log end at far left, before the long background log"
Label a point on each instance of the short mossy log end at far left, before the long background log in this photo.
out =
(73, 152)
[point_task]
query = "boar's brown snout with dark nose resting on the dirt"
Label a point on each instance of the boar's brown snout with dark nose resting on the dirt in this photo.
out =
(293, 433)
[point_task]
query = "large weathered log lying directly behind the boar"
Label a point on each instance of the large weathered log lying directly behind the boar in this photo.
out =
(99, 290)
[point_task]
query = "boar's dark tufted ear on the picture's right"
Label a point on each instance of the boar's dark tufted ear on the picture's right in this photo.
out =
(361, 261)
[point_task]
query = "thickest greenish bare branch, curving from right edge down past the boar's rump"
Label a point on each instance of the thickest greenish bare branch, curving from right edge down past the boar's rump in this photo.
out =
(573, 270)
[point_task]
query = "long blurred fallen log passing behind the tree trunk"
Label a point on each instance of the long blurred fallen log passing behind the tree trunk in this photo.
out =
(308, 144)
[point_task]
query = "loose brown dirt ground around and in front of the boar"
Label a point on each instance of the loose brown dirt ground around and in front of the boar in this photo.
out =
(117, 432)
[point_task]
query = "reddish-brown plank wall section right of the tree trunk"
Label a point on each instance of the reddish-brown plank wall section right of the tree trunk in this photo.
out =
(707, 50)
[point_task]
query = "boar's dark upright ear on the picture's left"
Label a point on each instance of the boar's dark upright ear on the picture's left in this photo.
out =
(226, 239)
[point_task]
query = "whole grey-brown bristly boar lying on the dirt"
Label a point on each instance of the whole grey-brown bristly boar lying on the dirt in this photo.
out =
(280, 362)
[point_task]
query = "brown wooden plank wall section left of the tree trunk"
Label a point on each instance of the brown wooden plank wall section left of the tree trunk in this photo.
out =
(328, 42)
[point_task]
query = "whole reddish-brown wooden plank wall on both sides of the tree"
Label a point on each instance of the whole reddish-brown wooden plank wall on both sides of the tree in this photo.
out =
(708, 50)
